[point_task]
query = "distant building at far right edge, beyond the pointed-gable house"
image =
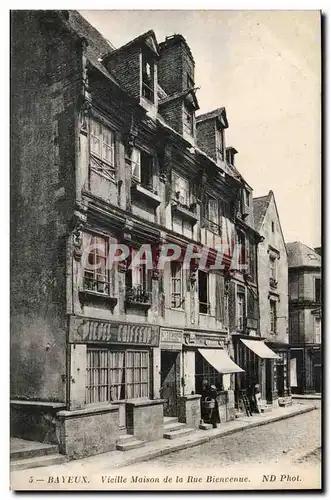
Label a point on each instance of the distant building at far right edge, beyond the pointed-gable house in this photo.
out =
(305, 317)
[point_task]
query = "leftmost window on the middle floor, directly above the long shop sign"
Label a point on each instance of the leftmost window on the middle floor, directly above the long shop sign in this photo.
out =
(96, 276)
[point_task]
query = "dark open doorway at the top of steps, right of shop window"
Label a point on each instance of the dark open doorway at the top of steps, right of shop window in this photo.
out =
(170, 381)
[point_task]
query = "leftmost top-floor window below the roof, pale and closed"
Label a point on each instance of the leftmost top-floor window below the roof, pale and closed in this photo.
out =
(102, 147)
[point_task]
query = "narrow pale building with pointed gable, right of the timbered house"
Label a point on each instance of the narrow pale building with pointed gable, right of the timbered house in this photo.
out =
(273, 297)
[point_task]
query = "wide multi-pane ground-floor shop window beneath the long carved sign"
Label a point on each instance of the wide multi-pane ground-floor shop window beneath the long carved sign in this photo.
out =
(116, 375)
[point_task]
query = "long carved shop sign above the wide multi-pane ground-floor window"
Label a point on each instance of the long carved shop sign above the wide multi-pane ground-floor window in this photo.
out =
(94, 330)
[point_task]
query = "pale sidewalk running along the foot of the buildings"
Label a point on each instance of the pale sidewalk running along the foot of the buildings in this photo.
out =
(117, 459)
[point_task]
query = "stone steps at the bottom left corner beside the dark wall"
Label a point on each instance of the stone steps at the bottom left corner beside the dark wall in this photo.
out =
(31, 454)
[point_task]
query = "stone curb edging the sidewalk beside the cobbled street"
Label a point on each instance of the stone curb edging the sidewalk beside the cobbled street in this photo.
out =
(205, 439)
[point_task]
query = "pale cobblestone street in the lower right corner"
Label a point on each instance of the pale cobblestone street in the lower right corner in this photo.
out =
(276, 443)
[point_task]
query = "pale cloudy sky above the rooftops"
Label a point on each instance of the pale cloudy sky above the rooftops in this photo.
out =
(264, 68)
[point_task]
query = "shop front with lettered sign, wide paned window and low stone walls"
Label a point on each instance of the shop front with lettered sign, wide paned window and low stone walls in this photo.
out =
(113, 385)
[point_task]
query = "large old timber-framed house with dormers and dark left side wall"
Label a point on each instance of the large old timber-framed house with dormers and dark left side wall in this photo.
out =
(106, 148)
